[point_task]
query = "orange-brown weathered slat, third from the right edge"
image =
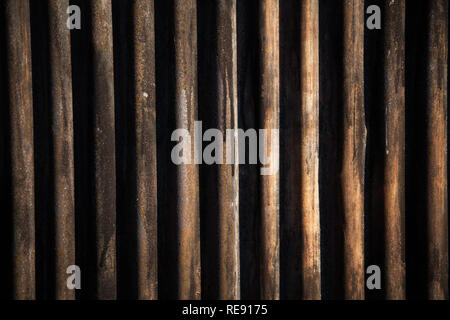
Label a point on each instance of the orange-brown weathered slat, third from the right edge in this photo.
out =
(353, 149)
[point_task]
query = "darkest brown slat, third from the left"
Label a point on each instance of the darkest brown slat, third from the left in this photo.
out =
(104, 148)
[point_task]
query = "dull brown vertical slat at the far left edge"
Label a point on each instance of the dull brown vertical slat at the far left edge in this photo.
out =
(22, 153)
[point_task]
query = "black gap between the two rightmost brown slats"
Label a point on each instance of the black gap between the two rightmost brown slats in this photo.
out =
(417, 20)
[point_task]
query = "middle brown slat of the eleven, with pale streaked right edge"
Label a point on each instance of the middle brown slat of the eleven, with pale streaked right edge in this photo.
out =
(228, 174)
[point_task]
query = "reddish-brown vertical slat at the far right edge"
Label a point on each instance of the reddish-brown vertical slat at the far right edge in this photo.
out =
(437, 197)
